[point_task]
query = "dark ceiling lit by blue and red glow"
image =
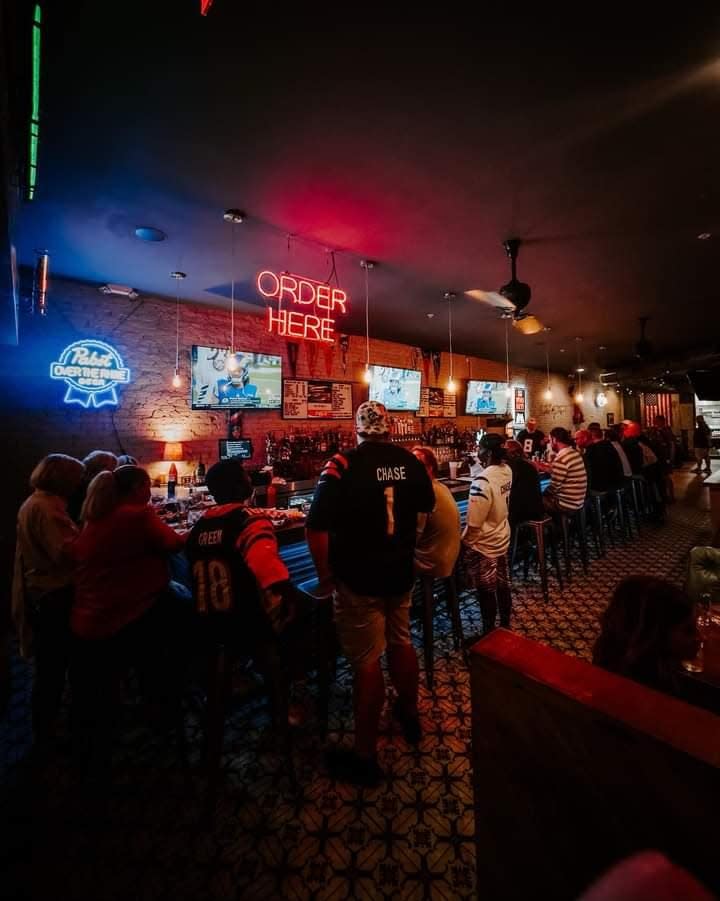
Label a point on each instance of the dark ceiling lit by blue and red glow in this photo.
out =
(596, 140)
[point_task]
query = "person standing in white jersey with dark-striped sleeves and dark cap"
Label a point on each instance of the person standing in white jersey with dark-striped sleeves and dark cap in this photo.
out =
(487, 534)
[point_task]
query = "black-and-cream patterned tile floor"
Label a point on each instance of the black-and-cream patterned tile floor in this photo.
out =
(411, 838)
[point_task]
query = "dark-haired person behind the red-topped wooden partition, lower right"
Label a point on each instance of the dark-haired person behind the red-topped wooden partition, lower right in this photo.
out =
(647, 630)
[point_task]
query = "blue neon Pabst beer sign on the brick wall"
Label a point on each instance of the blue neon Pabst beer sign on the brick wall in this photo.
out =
(91, 370)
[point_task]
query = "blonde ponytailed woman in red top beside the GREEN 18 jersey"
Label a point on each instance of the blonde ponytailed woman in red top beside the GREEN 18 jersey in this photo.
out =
(121, 580)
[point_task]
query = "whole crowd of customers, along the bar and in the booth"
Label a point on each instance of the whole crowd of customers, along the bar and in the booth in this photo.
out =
(93, 591)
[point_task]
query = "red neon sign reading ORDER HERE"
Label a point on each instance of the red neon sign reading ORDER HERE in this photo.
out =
(319, 302)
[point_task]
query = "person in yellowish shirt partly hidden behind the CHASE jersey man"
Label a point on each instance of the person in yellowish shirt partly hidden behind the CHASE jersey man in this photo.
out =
(438, 539)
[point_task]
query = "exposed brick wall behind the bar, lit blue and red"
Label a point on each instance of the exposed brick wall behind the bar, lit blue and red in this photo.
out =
(152, 412)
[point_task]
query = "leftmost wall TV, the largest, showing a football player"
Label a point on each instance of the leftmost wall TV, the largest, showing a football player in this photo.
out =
(241, 381)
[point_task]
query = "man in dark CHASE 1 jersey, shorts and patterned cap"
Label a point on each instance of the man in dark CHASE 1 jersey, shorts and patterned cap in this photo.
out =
(361, 532)
